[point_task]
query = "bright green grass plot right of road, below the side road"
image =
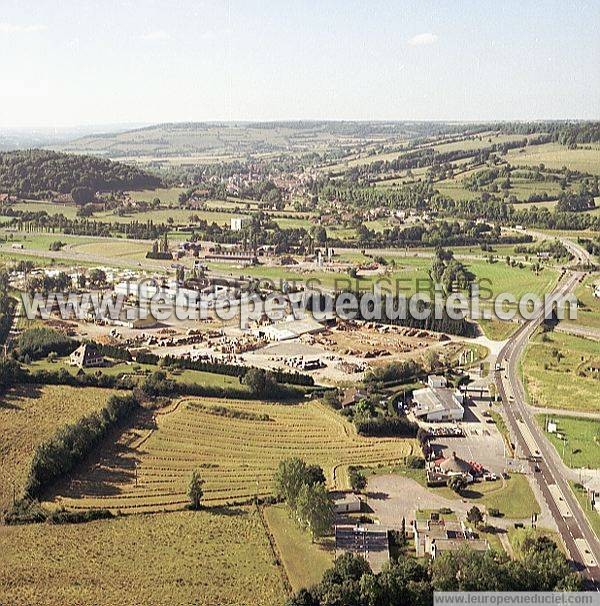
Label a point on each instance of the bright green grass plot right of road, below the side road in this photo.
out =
(582, 447)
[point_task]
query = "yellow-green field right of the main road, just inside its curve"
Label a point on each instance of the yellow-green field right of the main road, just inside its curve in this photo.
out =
(556, 370)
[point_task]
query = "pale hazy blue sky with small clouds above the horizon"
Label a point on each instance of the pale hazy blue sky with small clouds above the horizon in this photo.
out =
(86, 62)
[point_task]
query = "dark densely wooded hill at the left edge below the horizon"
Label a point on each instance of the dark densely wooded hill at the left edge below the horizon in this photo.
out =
(37, 172)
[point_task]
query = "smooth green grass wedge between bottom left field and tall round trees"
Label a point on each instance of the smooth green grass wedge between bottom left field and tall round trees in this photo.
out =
(304, 561)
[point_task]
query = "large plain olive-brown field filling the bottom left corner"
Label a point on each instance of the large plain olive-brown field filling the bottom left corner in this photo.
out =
(199, 558)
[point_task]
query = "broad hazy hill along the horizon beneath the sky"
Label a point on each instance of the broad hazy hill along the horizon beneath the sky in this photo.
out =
(226, 139)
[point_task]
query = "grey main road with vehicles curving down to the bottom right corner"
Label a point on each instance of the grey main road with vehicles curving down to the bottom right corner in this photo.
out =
(579, 538)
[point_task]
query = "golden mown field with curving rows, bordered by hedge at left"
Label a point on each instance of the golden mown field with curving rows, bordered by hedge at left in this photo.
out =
(237, 457)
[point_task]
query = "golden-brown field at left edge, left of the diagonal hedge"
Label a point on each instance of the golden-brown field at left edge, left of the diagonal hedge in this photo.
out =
(28, 416)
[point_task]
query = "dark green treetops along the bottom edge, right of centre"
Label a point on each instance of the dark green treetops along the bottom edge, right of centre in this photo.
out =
(406, 581)
